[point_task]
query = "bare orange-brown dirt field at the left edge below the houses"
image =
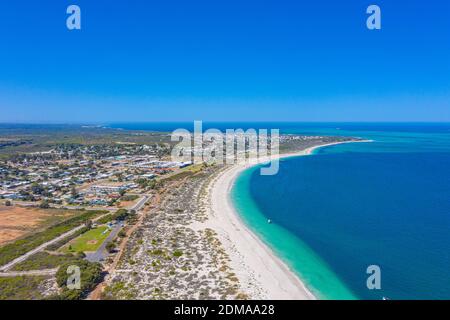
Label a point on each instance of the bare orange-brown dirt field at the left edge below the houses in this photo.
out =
(17, 222)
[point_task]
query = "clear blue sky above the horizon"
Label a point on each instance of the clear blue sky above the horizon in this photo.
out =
(224, 60)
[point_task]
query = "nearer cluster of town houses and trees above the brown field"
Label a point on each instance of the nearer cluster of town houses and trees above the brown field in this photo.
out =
(82, 176)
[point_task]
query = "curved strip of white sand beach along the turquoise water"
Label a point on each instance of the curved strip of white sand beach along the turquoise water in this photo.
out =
(262, 274)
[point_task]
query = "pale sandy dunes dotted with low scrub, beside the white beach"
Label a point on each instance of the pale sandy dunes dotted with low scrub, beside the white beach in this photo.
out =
(179, 262)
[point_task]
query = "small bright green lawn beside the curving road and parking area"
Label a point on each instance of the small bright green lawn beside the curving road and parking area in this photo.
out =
(88, 241)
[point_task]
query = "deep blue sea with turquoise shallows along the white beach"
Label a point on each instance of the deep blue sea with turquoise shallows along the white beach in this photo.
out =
(334, 213)
